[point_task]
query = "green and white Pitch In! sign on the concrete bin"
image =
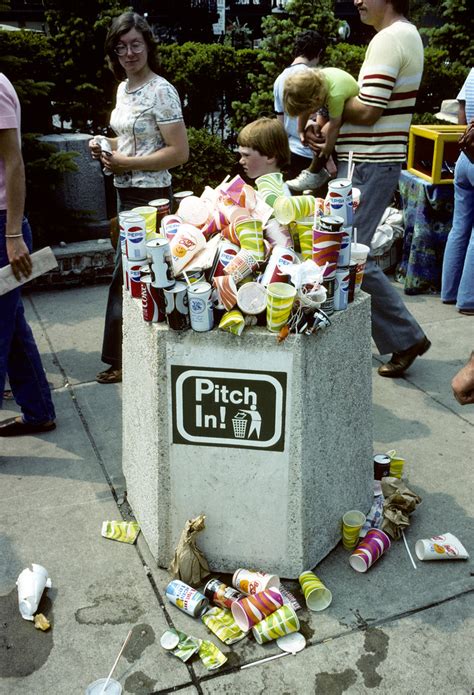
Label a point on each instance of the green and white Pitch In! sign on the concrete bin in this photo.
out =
(220, 407)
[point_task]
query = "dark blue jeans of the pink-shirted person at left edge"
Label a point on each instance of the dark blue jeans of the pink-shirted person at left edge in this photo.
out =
(19, 356)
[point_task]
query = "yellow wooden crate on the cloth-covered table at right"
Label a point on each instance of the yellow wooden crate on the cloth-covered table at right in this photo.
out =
(433, 150)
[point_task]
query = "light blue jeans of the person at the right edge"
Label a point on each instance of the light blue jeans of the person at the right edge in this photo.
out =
(457, 281)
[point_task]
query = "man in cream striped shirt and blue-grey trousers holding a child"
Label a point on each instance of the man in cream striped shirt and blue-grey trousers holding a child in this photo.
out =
(376, 125)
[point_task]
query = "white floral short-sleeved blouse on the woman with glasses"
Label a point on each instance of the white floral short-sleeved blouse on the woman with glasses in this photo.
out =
(136, 120)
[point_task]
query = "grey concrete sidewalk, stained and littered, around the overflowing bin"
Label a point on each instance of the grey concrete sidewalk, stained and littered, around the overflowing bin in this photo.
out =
(393, 630)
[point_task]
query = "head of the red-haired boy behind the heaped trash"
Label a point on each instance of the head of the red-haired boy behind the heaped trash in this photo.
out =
(263, 147)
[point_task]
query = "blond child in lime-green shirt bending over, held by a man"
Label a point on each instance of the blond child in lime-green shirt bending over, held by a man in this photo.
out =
(308, 91)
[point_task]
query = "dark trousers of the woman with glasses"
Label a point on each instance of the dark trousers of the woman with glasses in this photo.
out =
(112, 345)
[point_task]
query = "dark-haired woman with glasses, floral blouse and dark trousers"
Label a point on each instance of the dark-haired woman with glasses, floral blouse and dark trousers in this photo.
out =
(150, 139)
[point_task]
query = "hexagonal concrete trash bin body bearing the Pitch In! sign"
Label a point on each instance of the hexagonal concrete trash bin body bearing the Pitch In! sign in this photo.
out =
(272, 442)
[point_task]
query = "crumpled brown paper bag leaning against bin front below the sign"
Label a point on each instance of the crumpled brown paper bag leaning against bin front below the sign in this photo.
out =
(189, 563)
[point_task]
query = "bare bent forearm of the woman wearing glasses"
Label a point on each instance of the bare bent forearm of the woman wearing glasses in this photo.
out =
(175, 152)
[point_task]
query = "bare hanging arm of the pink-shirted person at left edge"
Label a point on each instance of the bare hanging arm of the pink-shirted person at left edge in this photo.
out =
(17, 251)
